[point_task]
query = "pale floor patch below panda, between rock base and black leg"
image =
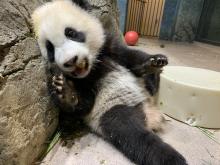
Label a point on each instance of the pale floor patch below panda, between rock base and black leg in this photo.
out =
(87, 150)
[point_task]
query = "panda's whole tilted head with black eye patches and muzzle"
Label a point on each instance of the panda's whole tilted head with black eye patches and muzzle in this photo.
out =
(68, 35)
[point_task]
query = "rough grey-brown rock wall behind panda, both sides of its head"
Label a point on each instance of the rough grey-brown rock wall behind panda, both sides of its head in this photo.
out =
(27, 118)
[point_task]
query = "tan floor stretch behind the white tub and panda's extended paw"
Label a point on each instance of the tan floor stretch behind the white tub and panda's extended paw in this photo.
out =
(197, 54)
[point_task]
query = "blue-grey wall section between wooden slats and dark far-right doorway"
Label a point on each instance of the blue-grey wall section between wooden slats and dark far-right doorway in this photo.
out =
(181, 19)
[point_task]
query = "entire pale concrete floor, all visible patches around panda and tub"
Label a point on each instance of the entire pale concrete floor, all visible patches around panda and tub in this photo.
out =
(197, 147)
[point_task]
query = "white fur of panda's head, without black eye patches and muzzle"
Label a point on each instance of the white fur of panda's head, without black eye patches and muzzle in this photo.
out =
(50, 22)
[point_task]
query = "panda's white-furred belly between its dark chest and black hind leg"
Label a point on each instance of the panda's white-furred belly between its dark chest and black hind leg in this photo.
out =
(117, 87)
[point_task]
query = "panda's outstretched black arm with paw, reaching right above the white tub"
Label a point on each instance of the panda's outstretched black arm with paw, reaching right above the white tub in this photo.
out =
(137, 61)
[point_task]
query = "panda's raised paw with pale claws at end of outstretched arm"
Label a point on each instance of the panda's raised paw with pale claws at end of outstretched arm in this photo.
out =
(158, 60)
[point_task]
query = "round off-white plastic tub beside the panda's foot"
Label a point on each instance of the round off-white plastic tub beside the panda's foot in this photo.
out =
(191, 95)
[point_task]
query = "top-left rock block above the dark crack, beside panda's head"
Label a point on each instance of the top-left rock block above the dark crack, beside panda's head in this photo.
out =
(15, 20)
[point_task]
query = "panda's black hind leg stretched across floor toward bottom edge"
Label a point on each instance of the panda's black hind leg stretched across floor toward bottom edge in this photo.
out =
(123, 126)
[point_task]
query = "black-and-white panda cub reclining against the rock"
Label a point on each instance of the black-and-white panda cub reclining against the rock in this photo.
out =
(95, 78)
